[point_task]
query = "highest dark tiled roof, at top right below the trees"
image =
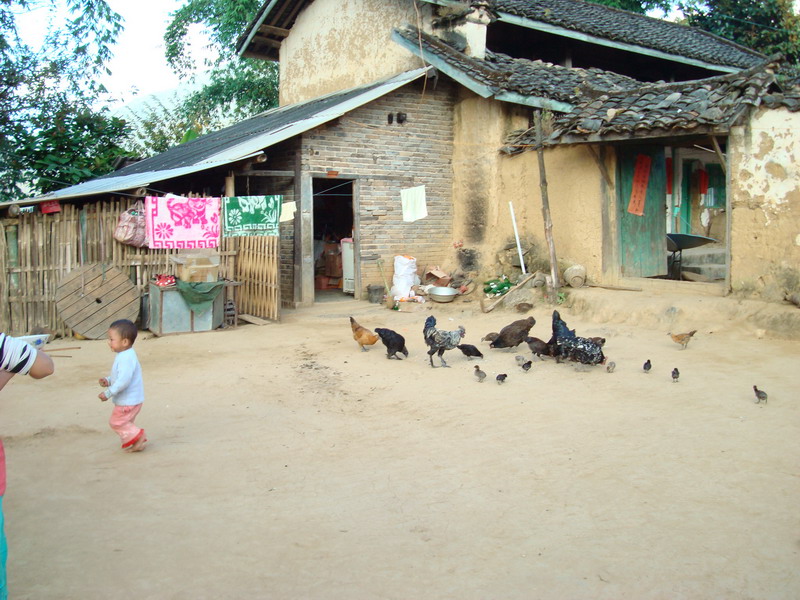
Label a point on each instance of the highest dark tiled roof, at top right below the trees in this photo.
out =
(631, 28)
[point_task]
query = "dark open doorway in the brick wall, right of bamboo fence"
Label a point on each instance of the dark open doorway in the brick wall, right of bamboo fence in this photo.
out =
(334, 262)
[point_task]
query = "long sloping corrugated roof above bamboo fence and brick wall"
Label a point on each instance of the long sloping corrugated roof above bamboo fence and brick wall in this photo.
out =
(237, 142)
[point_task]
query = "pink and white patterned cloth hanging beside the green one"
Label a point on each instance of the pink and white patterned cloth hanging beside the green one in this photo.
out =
(178, 222)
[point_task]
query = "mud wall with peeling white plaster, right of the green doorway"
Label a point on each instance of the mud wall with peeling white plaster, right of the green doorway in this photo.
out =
(765, 202)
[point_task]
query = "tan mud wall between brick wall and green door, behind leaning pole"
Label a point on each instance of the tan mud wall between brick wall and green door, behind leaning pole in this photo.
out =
(486, 180)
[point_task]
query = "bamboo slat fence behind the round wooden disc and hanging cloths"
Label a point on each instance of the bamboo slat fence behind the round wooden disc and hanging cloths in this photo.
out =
(37, 250)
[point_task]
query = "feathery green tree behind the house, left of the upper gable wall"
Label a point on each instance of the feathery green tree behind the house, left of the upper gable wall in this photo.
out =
(237, 87)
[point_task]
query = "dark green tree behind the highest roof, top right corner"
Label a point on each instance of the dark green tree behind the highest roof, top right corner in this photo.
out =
(767, 26)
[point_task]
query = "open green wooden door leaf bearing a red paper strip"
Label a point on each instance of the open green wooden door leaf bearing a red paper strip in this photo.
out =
(643, 239)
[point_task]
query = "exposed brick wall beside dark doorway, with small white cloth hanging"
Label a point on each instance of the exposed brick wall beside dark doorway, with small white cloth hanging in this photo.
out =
(386, 158)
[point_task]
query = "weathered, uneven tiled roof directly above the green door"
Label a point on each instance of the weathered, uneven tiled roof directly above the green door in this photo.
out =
(704, 105)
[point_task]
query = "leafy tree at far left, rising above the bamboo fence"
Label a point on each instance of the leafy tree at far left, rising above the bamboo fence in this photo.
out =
(50, 91)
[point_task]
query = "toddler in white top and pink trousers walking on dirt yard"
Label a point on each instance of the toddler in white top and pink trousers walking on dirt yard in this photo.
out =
(124, 386)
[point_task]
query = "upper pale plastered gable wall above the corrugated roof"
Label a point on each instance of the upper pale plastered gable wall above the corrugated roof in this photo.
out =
(339, 44)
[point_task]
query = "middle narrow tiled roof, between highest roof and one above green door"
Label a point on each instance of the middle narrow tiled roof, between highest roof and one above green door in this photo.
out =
(502, 73)
